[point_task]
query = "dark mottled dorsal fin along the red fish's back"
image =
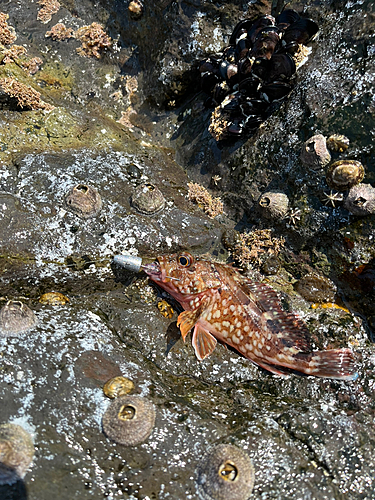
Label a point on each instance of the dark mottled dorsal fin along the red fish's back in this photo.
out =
(287, 326)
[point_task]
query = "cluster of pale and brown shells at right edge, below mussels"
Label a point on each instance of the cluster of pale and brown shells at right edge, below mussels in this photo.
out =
(342, 176)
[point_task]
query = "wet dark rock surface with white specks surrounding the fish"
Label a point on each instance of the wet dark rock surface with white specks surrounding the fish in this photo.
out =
(135, 116)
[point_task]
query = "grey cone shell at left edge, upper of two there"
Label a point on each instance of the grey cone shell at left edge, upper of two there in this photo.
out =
(16, 317)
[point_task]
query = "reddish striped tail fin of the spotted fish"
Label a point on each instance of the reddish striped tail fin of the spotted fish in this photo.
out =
(334, 363)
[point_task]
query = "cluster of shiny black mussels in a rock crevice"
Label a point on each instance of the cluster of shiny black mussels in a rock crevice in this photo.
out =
(254, 71)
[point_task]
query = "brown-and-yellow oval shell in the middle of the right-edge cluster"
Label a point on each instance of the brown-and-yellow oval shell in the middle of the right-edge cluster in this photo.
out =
(344, 174)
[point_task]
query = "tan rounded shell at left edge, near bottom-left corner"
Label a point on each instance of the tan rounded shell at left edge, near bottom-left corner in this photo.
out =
(16, 453)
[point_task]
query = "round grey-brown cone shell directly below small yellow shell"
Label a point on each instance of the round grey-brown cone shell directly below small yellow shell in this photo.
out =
(129, 420)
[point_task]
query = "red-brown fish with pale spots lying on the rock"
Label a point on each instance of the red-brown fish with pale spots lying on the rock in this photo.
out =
(221, 304)
